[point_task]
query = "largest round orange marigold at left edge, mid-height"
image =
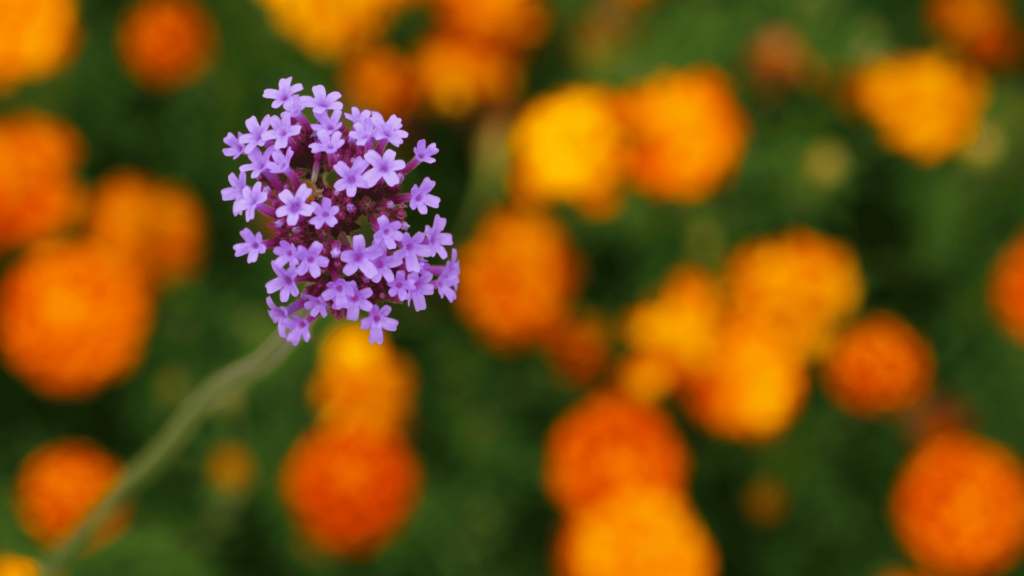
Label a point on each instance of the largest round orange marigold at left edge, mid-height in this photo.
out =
(74, 318)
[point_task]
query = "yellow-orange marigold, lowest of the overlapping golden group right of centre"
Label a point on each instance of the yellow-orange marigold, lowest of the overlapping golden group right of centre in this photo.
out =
(754, 391)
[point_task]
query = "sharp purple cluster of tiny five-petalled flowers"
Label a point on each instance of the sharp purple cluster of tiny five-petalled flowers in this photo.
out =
(318, 182)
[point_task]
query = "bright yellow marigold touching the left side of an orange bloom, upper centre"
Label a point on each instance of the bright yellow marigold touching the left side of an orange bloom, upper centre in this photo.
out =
(567, 146)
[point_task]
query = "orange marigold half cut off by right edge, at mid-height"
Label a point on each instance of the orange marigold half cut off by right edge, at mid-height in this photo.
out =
(1006, 290)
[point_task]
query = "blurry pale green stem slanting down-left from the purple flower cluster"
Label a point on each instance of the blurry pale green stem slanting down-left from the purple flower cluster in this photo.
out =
(202, 403)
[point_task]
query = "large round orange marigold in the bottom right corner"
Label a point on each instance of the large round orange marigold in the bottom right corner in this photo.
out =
(957, 506)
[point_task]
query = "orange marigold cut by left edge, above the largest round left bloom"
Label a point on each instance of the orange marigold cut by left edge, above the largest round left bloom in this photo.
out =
(40, 192)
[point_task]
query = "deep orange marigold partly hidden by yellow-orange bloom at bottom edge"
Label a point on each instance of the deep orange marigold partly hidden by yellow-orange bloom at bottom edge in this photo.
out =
(606, 443)
